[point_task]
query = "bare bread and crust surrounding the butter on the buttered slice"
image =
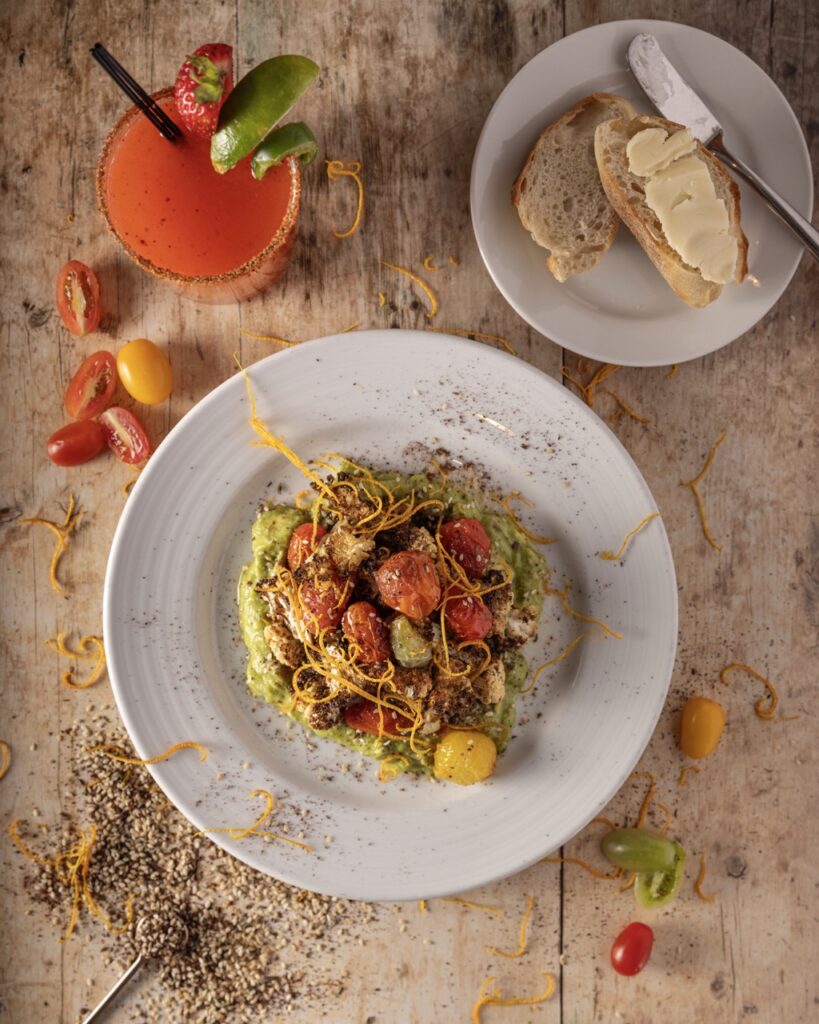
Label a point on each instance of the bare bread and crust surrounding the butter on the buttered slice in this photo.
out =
(627, 195)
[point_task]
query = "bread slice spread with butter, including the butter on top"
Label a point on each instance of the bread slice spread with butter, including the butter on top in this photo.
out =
(678, 201)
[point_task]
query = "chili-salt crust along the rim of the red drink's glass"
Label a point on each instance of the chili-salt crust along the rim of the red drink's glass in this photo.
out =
(284, 235)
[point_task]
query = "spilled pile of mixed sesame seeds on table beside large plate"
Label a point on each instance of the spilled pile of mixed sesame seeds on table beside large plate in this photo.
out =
(226, 942)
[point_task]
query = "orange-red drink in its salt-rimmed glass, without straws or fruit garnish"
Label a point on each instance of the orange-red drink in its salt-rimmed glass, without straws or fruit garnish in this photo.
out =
(215, 237)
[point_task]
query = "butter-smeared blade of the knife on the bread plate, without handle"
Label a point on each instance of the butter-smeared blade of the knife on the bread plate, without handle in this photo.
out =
(668, 91)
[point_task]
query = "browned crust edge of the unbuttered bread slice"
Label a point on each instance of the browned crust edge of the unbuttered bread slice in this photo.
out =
(564, 263)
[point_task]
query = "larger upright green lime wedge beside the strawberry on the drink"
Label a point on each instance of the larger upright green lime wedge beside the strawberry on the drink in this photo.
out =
(257, 104)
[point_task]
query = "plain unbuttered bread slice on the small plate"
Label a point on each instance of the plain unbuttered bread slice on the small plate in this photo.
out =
(558, 195)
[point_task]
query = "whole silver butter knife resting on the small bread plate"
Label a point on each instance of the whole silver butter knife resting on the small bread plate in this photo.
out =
(676, 101)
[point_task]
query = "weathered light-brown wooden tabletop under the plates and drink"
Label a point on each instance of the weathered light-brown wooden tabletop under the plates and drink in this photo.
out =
(406, 89)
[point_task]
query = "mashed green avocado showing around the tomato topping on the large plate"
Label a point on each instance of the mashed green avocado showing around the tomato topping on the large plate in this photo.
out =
(271, 681)
